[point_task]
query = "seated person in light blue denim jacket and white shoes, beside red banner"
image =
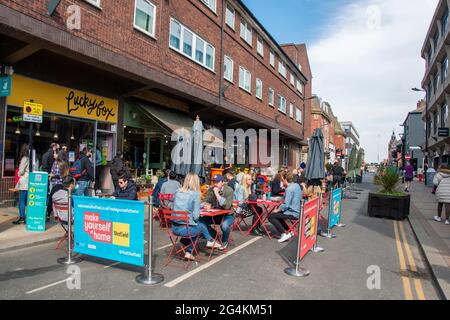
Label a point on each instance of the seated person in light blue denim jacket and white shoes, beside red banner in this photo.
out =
(290, 209)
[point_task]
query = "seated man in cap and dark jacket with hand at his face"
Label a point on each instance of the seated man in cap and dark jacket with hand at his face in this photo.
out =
(220, 196)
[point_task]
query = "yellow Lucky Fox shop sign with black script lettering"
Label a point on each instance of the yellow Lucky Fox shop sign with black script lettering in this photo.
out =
(62, 100)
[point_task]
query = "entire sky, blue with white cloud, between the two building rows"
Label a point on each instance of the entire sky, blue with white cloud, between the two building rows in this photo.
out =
(365, 57)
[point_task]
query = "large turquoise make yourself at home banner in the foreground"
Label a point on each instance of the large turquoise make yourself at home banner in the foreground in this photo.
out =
(109, 229)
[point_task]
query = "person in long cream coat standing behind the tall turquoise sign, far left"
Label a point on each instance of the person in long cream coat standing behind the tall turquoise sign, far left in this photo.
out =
(22, 184)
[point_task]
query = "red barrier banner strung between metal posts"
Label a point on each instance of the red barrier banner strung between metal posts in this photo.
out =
(309, 226)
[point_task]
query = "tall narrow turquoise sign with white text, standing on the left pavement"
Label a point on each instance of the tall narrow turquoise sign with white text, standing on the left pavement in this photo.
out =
(37, 201)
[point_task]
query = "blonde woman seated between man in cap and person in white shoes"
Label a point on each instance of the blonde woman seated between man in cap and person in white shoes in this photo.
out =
(243, 194)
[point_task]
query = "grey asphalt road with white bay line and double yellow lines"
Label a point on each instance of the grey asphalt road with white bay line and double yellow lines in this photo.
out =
(370, 259)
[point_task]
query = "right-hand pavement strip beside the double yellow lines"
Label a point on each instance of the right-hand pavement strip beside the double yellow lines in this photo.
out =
(434, 237)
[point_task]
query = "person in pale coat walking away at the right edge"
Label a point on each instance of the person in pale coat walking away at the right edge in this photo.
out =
(442, 183)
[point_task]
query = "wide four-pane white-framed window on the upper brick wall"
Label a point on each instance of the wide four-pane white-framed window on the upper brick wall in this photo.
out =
(191, 45)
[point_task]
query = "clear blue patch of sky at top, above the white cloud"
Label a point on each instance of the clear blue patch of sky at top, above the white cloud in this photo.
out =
(298, 21)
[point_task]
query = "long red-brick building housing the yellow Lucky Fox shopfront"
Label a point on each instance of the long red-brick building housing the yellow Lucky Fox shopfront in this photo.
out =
(132, 71)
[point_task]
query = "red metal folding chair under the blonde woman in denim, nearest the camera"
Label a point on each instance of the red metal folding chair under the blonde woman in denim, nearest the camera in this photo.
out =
(182, 218)
